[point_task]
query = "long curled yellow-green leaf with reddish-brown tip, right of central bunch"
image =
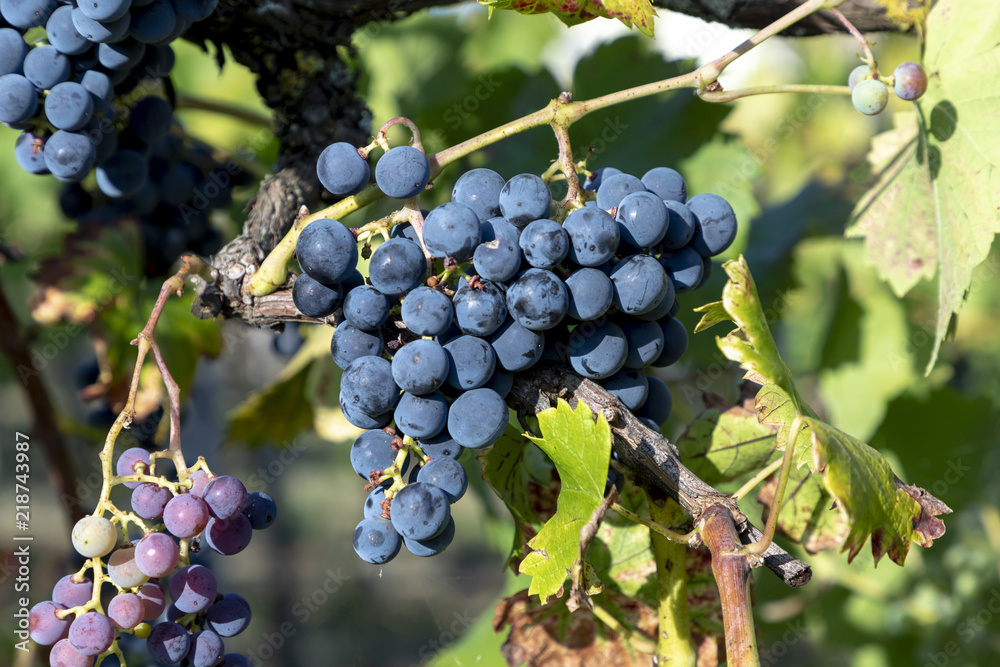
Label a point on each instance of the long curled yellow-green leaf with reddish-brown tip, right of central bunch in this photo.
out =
(858, 479)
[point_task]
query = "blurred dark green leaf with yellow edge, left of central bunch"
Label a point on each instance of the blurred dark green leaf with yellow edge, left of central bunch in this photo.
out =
(253, 421)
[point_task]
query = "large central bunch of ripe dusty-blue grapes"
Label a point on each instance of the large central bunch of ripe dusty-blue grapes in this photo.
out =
(430, 344)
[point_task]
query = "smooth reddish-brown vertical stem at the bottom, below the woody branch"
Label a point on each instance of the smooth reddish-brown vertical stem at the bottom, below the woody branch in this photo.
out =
(731, 568)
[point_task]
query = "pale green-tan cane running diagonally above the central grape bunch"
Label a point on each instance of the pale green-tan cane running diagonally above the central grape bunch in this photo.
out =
(559, 113)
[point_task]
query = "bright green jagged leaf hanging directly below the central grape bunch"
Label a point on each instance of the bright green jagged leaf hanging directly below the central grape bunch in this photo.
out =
(580, 448)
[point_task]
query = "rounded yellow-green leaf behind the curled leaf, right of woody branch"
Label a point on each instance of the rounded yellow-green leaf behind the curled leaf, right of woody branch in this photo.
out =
(726, 443)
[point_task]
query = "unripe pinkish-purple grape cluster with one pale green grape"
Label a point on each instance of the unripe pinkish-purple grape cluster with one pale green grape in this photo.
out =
(216, 512)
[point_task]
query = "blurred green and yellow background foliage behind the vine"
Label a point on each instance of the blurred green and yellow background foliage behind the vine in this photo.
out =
(792, 165)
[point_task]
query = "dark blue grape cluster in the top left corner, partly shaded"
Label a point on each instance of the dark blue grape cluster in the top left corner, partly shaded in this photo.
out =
(78, 95)
